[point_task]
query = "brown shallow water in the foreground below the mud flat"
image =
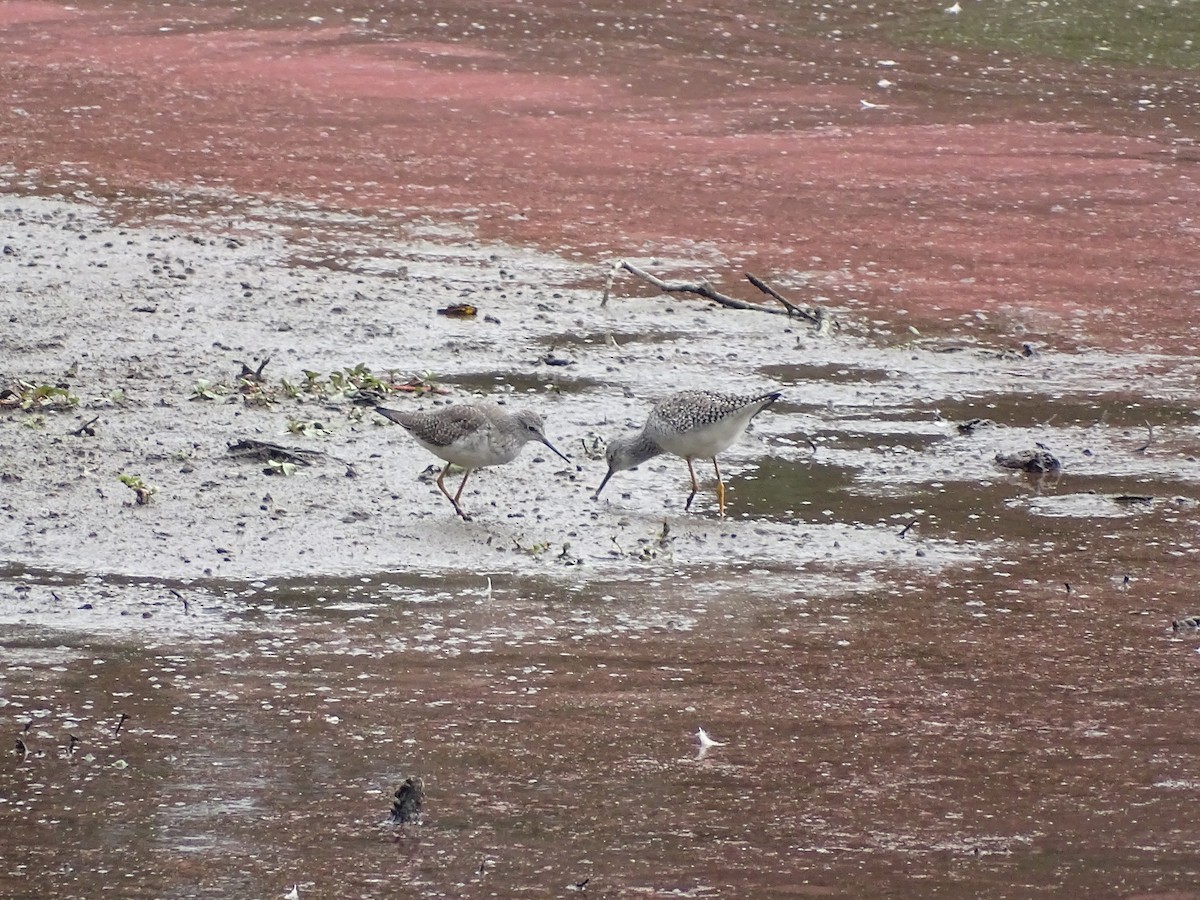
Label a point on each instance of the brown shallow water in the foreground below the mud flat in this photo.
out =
(881, 745)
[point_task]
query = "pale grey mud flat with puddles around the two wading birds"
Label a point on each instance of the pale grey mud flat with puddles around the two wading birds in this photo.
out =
(134, 320)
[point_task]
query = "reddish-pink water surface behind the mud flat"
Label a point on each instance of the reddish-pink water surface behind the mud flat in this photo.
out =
(977, 182)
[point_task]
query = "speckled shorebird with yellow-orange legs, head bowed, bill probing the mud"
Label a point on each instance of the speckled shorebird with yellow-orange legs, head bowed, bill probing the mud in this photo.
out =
(692, 425)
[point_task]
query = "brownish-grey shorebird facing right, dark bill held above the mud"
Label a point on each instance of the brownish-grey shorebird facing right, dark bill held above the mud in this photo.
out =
(472, 436)
